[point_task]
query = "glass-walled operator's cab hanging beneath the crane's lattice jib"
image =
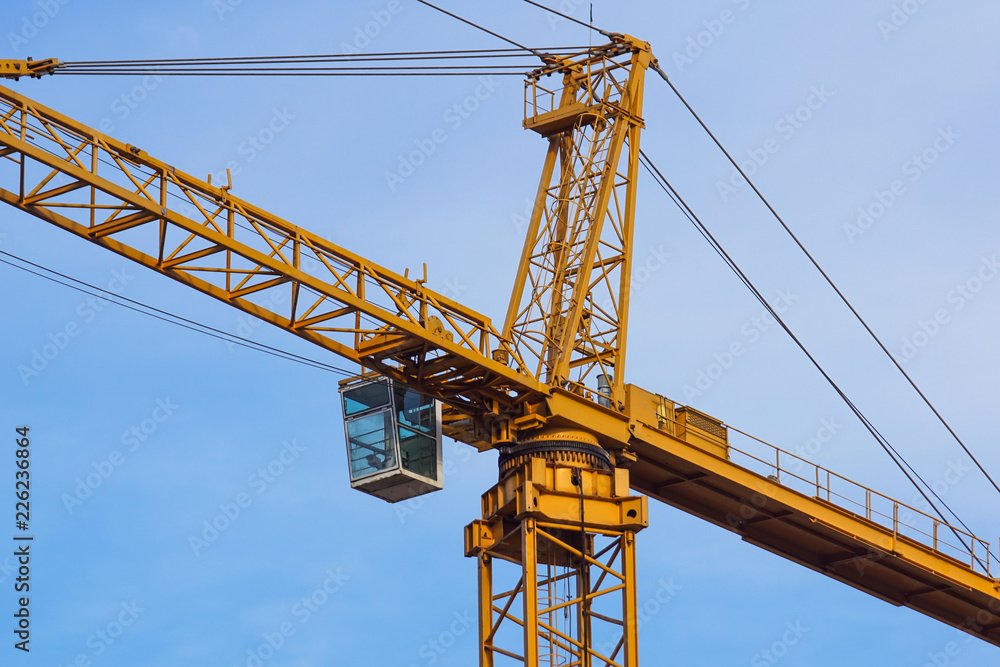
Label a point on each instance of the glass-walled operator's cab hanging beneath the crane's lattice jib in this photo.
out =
(393, 438)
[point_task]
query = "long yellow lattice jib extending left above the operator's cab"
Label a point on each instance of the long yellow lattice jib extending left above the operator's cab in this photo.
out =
(354, 299)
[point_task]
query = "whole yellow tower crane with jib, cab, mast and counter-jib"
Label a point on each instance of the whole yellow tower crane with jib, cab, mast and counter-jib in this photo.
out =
(555, 543)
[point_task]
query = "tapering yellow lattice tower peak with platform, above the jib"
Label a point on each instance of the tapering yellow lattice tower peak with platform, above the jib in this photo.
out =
(568, 312)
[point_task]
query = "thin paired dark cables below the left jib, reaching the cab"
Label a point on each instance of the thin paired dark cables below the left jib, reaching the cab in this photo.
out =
(165, 316)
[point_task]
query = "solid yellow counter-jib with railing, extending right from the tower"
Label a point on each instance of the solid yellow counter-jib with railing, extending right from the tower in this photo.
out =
(897, 554)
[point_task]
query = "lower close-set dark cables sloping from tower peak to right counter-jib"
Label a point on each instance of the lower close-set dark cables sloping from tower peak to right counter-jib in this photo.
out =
(896, 457)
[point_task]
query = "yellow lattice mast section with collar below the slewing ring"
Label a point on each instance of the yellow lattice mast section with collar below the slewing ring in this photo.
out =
(566, 536)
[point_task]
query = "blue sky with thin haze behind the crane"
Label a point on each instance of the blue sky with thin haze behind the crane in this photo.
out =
(337, 577)
